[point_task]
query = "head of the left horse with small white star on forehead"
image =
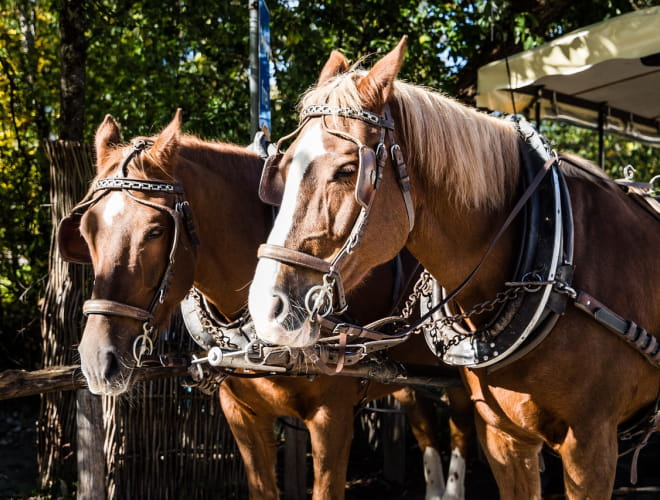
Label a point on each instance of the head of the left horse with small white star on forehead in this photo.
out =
(135, 228)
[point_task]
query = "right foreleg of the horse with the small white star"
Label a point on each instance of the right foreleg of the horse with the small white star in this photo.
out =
(331, 432)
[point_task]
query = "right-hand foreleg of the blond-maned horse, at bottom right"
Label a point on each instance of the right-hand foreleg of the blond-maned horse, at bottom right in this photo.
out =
(589, 456)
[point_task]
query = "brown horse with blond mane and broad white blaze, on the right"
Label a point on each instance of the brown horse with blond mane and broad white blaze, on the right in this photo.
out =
(444, 192)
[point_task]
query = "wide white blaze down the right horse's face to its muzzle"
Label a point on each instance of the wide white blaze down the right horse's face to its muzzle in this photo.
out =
(269, 307)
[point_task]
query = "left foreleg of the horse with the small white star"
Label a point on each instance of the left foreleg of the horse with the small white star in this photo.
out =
(254, 435)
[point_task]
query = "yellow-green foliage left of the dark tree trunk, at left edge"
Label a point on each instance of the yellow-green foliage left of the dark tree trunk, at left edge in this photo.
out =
(28, 83)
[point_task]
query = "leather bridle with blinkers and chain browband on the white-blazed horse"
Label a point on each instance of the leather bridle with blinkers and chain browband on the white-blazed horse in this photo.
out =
(320, 299)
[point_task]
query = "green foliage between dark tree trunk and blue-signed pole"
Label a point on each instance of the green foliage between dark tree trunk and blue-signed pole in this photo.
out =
(146, 59)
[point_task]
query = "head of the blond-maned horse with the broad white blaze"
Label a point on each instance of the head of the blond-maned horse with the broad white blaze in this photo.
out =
(321, 245)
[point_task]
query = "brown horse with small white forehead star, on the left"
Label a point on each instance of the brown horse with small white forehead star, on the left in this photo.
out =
(172, 211)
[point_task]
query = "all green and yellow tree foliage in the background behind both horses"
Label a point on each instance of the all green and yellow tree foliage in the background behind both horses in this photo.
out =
(146, 58)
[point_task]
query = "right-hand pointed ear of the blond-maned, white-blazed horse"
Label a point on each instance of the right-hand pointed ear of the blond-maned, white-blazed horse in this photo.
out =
(377, 86)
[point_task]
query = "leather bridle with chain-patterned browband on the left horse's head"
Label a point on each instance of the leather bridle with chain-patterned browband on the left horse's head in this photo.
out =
(181, 215)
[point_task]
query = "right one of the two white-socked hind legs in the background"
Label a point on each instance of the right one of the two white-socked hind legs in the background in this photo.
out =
(461, 431)
